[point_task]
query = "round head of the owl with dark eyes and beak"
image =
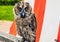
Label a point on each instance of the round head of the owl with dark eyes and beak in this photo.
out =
(22, 9)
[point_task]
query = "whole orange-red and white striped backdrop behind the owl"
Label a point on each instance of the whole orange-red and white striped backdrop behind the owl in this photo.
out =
(47, 13)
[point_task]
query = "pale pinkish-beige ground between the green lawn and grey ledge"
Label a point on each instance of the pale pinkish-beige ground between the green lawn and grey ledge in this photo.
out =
(5, 25)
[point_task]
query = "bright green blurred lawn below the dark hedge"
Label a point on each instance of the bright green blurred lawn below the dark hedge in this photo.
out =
(6, 13)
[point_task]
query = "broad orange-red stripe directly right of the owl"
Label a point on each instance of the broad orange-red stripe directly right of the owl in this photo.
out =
(39, 10)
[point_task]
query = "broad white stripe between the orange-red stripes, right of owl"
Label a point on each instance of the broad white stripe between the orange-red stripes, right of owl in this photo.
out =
(51, 21)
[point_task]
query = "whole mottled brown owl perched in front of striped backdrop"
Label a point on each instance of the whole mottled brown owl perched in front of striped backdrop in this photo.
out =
(25, 21)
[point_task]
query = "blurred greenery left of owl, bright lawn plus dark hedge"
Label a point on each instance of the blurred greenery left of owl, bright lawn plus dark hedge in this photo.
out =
(6, 9)
